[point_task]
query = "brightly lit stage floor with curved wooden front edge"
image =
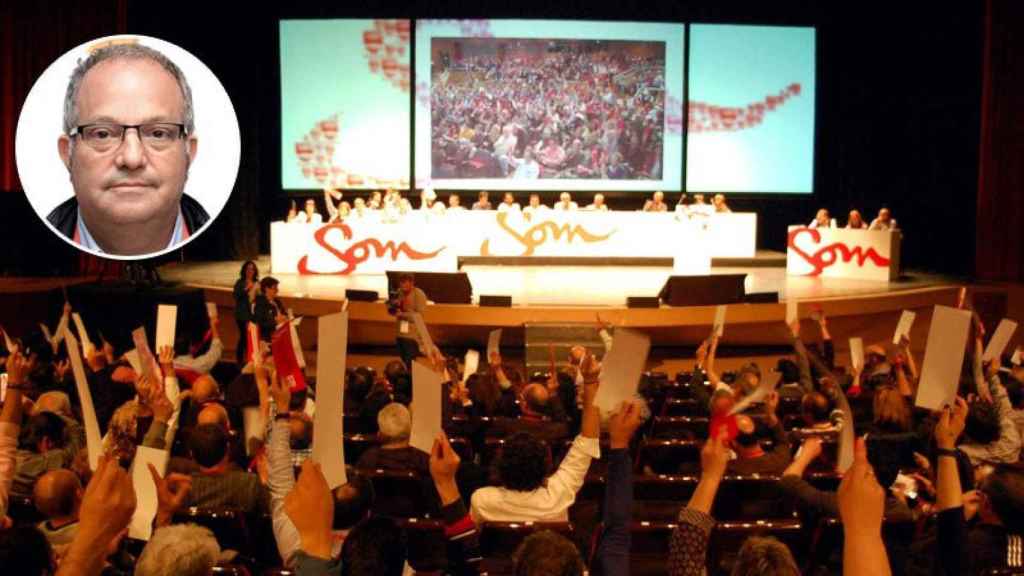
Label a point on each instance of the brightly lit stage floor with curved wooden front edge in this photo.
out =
(576, 295)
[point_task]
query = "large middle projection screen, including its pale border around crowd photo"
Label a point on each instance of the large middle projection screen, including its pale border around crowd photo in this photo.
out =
(549, 106)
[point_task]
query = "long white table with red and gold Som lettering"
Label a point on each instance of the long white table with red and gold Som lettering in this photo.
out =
(426, 241)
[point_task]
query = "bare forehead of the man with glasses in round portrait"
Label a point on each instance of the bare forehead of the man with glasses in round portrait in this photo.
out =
(131, 91)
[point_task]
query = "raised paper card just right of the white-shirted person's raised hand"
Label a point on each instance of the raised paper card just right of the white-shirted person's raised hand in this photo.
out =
(621, 369)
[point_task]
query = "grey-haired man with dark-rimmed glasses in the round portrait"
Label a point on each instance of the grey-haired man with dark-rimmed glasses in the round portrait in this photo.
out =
(129, 141)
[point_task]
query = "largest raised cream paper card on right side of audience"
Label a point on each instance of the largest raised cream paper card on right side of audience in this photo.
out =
(944, 358)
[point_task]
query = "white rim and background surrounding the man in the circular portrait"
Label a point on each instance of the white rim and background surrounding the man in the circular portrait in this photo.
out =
(211, 176)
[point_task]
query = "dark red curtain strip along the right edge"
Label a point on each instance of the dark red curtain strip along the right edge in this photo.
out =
(1001, 180)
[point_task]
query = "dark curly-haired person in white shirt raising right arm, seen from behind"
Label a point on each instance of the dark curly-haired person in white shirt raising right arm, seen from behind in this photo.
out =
(525, 495)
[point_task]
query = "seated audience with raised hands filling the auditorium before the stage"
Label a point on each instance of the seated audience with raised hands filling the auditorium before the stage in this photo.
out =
(927, 493)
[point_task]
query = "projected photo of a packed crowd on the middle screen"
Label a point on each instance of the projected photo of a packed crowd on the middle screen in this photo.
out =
(536, 109)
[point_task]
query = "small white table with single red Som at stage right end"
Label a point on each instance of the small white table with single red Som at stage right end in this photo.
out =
(865, 255)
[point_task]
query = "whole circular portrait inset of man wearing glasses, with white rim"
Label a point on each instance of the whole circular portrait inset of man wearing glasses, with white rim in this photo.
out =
(129, 147)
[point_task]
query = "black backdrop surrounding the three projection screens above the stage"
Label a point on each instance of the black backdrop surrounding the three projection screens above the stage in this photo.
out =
(902, 93)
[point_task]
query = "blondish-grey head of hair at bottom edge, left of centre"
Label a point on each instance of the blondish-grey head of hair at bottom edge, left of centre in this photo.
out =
(180, 550)
